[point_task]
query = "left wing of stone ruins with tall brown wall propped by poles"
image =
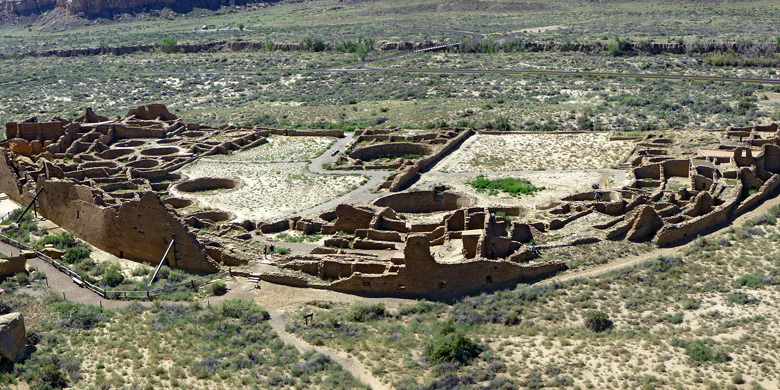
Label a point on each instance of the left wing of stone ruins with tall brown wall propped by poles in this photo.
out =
(105, 179)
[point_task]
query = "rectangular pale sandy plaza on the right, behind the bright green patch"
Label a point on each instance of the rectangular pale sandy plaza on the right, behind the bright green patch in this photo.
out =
(492, 153)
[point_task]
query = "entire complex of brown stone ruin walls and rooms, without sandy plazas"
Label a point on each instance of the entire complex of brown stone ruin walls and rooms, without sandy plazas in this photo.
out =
(109, 180)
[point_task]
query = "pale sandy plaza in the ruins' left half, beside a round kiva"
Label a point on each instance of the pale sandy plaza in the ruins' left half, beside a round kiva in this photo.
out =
(270, 190)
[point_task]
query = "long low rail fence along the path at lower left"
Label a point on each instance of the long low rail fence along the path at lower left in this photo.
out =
(115, 294)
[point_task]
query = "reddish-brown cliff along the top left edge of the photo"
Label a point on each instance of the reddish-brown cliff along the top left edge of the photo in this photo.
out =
(106, 8)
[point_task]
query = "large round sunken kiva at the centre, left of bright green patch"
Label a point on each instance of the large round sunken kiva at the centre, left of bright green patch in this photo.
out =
(426, 201)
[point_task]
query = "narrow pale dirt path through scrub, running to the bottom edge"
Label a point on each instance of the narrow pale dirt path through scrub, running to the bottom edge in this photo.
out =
(350, 364)
